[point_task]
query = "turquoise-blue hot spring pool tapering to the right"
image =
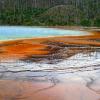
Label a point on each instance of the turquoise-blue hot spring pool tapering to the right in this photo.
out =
(11, 32)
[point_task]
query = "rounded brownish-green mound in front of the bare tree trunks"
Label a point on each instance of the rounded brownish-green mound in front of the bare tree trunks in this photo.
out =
(61, 15)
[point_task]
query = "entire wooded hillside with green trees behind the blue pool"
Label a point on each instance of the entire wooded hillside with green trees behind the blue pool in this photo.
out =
(50, 12)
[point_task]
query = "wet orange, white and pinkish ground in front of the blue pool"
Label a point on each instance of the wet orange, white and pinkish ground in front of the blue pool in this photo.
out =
(55, 68)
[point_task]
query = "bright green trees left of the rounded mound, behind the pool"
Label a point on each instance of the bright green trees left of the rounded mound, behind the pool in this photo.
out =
(18, 17)
